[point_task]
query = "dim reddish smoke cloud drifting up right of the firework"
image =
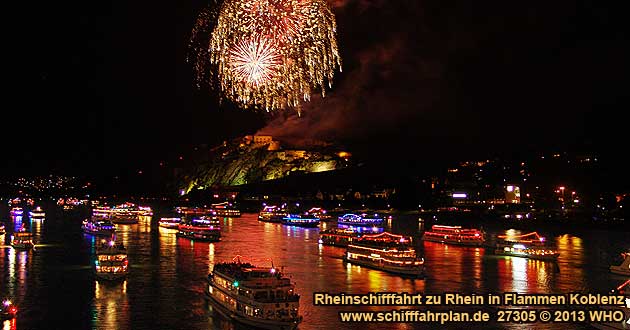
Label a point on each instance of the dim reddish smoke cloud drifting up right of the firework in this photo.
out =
(388, 78)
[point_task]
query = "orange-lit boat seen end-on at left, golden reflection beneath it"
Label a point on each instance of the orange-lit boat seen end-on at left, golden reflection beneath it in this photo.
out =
(111, 261)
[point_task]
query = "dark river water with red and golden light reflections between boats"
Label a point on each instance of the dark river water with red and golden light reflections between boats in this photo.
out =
(55, 288)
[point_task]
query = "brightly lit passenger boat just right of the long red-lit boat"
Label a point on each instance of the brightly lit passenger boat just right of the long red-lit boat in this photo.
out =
(529, 245)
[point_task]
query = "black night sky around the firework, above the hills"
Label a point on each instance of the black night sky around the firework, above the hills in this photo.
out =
(99, 87)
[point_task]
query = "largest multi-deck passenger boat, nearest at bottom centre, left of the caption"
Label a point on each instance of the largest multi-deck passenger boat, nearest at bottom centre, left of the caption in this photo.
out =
(259, 297)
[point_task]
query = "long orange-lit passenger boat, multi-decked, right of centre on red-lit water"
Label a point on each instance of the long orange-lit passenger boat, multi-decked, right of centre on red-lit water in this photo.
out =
(387, 252)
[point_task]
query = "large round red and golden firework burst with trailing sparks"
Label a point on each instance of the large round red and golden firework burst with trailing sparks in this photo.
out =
(268, 54)
